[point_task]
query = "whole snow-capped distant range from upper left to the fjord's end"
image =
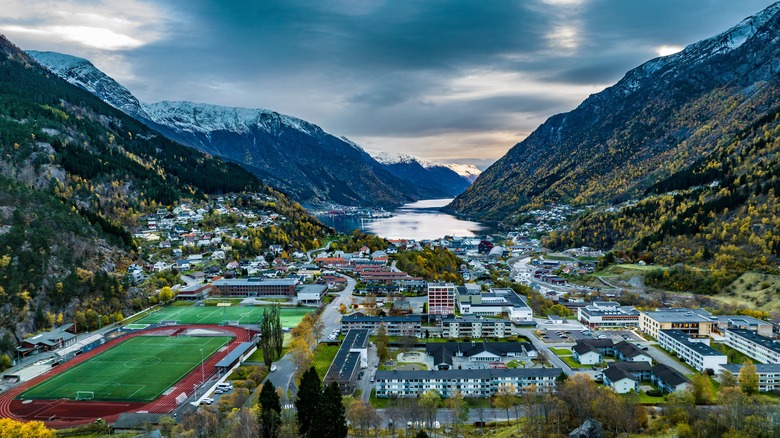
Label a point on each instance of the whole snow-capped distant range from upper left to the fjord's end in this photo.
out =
(291, 154)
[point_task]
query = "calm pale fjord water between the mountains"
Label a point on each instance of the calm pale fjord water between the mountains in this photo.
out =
(418, 220)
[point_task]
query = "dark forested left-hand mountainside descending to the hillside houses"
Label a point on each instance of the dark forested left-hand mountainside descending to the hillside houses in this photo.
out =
(76, 176)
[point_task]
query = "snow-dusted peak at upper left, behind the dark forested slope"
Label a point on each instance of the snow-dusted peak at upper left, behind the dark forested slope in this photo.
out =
(81, 73)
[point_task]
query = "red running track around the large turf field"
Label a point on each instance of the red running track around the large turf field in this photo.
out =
(67, 413)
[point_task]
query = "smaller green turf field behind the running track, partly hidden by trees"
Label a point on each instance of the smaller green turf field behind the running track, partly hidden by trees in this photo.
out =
(215, 315)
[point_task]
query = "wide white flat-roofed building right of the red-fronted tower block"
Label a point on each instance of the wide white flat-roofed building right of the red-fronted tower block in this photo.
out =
(497, 302)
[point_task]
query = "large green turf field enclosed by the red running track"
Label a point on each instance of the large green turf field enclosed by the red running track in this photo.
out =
(139, 369)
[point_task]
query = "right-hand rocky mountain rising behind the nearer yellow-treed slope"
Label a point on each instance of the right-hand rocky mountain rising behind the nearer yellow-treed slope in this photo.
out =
(660, 118)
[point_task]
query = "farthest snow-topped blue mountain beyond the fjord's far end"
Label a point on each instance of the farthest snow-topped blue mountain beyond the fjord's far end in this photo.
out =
(438, 178)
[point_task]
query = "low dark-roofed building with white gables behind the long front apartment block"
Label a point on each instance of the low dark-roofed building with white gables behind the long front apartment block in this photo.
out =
(446, 354)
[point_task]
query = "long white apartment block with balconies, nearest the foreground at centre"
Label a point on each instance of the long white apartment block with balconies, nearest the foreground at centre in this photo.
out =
(481, 383)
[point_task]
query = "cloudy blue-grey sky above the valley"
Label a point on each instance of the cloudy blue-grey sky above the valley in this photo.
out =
(454, 81)
